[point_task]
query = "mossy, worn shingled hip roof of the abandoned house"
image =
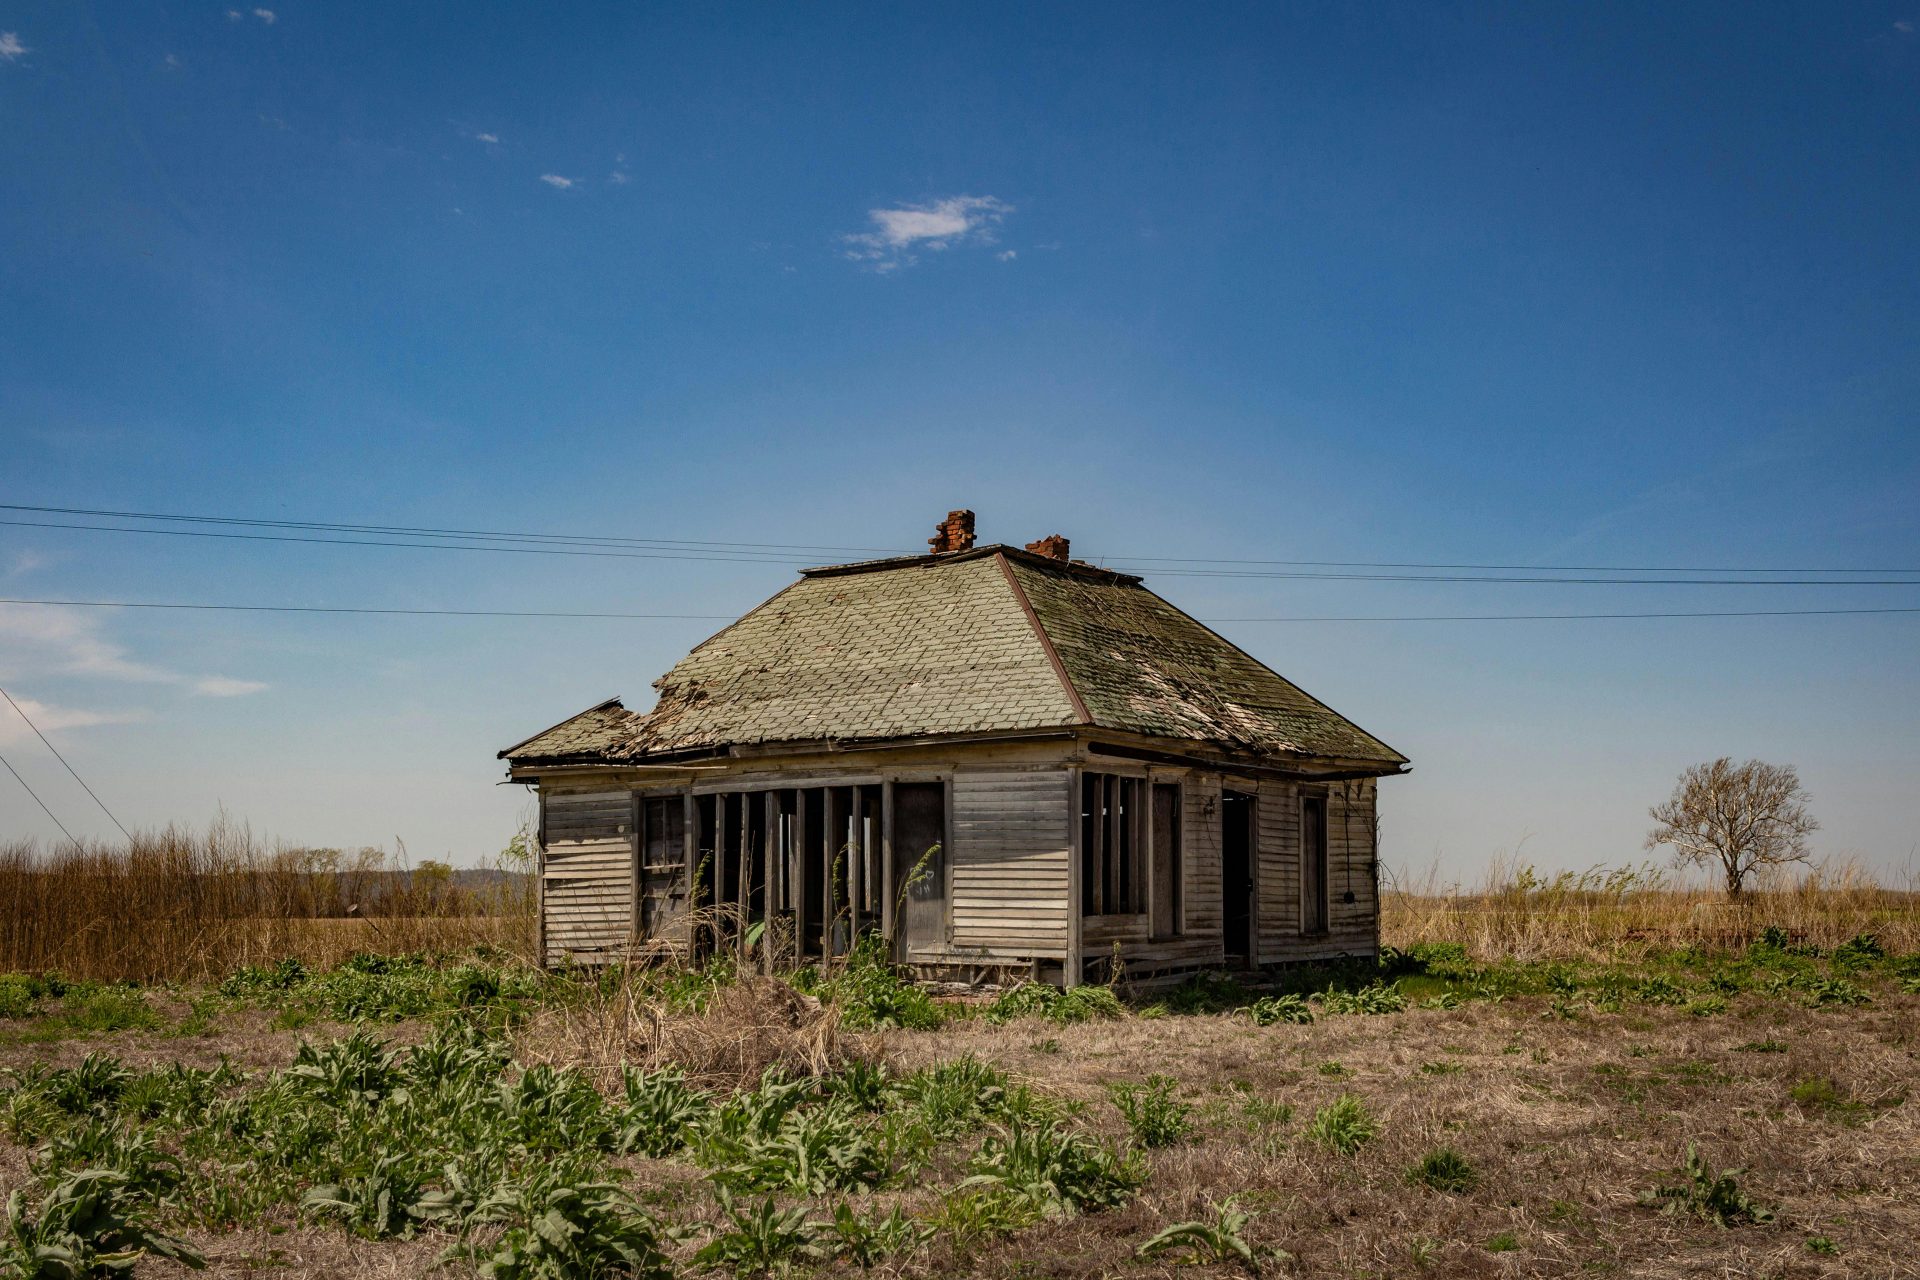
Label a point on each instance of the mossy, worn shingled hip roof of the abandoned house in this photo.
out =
(992, 640)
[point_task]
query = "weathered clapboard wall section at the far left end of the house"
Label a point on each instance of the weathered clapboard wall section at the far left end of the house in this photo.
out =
(587, 874)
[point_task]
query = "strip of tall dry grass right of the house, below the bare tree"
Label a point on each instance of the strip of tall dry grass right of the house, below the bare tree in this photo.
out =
(1610, 914)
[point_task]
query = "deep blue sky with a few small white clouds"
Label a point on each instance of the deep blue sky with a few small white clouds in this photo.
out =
(1618, 285)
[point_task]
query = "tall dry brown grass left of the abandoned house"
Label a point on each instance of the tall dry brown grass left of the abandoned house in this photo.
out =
(191, 907)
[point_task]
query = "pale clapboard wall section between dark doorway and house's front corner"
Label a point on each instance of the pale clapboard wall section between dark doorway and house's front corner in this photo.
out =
(1011, 861)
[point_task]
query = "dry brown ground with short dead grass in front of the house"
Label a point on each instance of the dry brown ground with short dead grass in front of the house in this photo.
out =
(1566, 1122)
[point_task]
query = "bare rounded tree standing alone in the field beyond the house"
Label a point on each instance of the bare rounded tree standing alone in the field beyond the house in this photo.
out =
(1740, 817)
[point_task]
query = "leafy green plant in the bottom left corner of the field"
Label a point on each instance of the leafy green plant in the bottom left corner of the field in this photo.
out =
(89, 1225)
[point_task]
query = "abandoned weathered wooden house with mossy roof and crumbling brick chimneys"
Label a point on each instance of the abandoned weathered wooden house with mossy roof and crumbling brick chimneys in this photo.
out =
(1007, 763)
